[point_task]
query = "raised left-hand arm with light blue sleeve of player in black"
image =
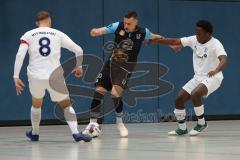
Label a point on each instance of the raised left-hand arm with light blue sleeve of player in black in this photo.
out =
(104, 30)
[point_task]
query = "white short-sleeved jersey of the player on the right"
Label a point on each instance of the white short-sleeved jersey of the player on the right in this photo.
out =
(205, 56)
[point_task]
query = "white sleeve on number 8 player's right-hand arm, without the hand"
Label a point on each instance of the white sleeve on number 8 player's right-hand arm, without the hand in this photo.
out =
(67, 43)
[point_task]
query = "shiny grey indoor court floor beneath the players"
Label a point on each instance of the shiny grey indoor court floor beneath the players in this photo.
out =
(221, 141)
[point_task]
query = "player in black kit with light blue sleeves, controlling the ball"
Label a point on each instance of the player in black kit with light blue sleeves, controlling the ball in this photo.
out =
(117, 69)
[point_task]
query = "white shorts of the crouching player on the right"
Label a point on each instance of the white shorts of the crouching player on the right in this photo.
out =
(212, 84)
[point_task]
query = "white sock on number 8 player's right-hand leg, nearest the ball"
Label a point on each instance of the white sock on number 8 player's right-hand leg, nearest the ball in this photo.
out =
(70, 117)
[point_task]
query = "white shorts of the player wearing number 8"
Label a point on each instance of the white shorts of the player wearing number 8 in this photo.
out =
(38, 88)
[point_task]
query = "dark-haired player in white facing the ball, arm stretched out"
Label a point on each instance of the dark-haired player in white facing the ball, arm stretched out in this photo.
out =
(209, 60)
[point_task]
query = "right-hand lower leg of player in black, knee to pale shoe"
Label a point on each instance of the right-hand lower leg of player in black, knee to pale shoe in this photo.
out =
(118, 104)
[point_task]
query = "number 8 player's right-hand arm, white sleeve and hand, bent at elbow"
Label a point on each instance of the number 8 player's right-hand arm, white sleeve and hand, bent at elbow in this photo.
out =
(67, 43)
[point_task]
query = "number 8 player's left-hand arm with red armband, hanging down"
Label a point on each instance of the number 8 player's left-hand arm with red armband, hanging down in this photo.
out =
(22, 51)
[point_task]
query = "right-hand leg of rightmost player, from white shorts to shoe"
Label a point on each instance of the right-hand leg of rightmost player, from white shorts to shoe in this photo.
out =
(205, 88)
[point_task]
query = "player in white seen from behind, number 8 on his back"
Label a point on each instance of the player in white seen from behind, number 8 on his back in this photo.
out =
(43, 45)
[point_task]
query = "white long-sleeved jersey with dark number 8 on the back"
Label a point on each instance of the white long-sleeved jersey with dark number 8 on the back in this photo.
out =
(44, 47)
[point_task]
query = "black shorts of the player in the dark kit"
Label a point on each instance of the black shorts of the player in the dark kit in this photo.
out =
(111, 74)
